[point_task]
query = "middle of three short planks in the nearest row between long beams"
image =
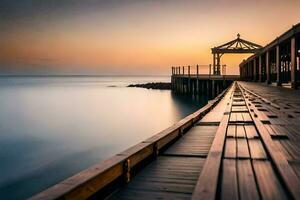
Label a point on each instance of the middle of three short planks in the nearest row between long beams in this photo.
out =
(246, 180)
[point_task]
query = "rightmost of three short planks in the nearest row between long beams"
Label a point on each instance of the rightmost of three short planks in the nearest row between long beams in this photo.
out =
(269, 185)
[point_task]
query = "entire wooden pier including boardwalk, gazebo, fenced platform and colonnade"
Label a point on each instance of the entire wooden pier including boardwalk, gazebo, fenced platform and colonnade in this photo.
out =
(244, 144)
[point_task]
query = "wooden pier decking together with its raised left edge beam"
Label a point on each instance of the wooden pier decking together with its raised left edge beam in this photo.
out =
(242, 145)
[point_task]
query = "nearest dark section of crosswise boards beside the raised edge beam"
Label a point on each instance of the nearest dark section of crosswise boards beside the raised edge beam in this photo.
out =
(167, 177)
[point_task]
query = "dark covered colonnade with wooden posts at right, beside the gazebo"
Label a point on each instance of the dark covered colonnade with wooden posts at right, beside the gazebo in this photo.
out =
(278, 62)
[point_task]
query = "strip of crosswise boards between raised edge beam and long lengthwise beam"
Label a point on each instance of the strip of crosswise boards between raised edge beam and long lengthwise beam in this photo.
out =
(194, 145)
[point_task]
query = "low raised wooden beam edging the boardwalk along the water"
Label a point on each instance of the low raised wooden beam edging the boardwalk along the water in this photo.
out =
(104, 178)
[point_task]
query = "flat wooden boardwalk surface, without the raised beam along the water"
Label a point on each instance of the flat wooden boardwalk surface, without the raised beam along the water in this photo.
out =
(245, 148)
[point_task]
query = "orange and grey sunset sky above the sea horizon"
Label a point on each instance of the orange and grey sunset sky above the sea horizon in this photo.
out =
(131, 36)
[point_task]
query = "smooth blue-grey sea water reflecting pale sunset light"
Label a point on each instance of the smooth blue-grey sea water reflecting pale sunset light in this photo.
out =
(52, 128)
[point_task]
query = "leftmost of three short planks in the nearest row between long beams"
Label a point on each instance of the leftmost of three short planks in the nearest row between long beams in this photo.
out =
(229, 185)
